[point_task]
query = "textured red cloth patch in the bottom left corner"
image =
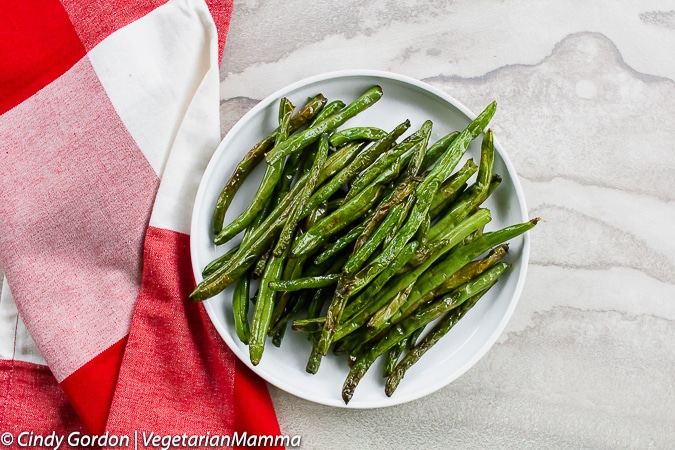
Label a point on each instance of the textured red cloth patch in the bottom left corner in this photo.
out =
(32, 400)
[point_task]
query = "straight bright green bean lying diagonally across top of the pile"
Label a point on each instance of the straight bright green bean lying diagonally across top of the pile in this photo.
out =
(306, 137)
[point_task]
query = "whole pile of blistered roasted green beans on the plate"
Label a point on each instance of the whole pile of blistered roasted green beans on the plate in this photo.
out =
(360, 237)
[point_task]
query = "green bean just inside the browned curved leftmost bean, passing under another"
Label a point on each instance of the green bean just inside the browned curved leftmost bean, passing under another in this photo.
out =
(272, 176)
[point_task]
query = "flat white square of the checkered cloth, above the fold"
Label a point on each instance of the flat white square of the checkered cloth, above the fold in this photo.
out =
(152, 68)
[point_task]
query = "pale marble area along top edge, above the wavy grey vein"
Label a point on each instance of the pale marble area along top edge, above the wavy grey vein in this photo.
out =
(423, 38)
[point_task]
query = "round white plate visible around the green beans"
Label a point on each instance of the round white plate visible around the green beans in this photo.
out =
(284, 367)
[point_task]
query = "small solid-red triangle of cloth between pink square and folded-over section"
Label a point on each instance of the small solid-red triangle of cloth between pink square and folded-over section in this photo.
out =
(92, 400)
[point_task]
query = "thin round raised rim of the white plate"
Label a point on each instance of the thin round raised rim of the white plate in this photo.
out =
(523, 213)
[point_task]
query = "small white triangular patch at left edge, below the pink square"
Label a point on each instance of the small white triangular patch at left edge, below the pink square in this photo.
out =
(15, 341)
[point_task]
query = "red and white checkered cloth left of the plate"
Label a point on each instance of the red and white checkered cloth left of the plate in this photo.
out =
(110, 112)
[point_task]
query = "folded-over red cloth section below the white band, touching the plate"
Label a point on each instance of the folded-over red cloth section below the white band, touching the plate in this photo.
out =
(175, 358)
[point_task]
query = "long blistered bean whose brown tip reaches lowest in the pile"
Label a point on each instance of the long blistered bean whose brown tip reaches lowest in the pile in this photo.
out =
(410, 324)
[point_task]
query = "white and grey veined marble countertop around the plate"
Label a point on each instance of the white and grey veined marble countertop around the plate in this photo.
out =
(586, 92)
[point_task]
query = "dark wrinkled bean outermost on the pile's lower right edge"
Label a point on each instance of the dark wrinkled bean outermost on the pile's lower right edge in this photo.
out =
(442, 328)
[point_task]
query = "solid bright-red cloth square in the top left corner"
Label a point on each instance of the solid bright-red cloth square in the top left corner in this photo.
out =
(37, 45)
